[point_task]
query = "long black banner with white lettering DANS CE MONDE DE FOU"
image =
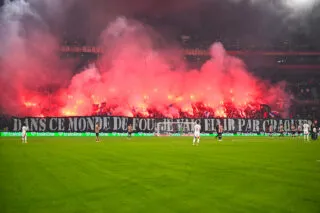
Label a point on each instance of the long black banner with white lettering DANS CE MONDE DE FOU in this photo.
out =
(146, 125)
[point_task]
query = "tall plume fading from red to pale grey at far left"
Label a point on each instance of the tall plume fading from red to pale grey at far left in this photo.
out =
(28, 58)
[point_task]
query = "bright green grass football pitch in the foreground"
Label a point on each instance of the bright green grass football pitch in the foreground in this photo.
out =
(159, 174)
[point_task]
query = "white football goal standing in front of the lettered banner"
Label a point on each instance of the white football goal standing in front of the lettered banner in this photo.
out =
(174, 128)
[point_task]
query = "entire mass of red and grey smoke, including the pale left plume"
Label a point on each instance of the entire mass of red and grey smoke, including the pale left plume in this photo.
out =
(138, 74)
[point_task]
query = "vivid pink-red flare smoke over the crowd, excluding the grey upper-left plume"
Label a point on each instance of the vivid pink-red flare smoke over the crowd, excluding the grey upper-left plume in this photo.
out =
(138, 78)
